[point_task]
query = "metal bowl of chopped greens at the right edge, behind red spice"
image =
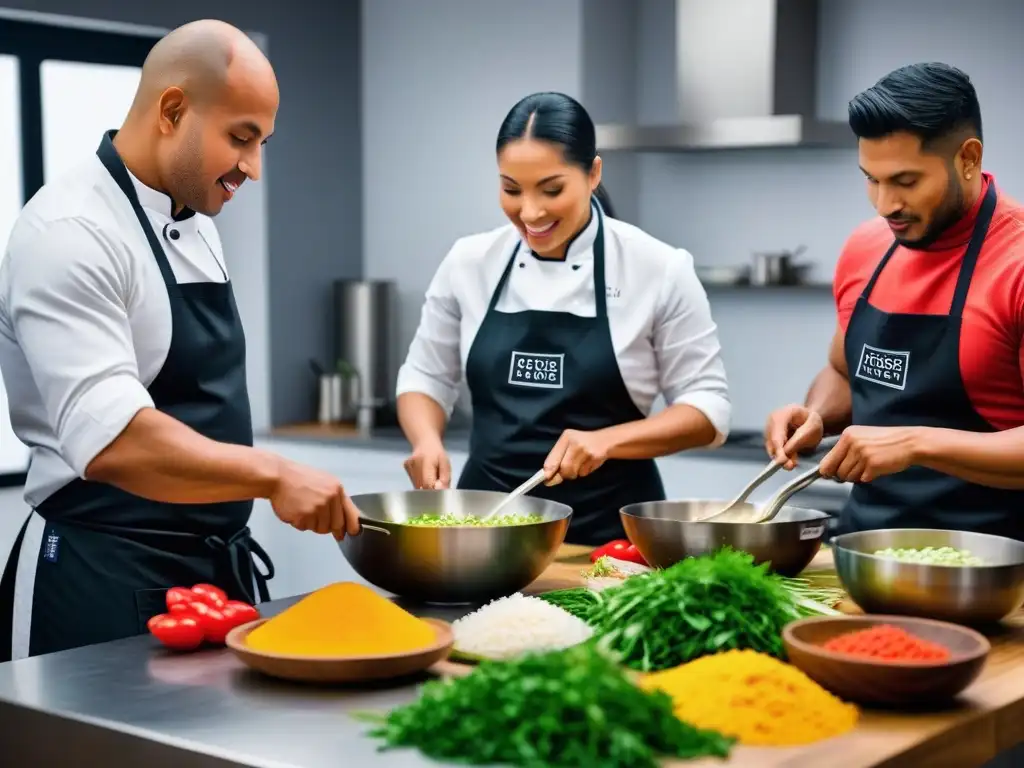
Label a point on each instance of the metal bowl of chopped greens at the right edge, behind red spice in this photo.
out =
(953, 593)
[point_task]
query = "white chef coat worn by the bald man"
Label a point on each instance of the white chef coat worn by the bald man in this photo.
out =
(86, 320)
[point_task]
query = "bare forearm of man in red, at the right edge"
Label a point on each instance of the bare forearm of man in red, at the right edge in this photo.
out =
(994, 459)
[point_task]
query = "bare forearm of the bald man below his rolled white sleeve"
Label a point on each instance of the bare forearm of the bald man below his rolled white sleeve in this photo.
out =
(159, 458)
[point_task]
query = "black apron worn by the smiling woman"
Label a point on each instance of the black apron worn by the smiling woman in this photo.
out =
(532, 375)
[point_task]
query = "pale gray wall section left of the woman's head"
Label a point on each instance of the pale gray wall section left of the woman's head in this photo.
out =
(438, 79)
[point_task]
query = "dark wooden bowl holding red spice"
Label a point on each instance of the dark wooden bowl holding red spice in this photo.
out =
(882, 682)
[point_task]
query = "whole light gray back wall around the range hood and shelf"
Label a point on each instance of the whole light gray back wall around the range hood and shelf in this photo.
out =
(450, 69)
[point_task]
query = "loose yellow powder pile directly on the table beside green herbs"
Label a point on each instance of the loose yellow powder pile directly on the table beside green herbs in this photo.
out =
(755, 698)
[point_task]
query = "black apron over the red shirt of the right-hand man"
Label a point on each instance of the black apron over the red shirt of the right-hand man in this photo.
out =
(905, 371)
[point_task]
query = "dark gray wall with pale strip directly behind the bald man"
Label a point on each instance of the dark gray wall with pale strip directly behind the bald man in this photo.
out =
(283, 271)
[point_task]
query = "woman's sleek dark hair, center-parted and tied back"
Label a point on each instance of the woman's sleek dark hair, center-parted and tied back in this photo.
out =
(562, 120)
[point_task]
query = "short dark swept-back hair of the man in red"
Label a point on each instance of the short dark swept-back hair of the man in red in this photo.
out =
(930, 101)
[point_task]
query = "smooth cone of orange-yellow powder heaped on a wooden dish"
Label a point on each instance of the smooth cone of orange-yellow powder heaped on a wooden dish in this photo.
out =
(343, 620)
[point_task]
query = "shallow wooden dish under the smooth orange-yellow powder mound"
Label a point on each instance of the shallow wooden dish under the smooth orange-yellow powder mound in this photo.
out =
(340, 669)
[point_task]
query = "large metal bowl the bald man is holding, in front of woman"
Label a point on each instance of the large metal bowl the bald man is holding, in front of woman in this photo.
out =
(453, 565)
